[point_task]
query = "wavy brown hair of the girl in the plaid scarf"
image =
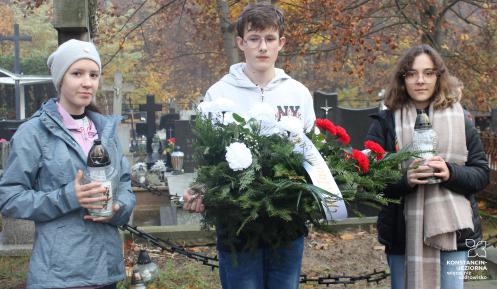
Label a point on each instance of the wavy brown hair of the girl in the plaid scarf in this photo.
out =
(443, 96)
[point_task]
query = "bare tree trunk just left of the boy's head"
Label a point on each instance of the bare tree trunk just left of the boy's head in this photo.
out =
(227, 28)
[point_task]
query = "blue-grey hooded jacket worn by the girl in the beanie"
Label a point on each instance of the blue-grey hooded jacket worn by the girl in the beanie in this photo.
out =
(38, 185)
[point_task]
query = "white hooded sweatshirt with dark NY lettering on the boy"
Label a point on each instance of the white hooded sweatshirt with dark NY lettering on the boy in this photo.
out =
(288, 96)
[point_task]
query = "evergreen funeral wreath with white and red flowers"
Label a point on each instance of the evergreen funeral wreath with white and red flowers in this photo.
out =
(251, 177)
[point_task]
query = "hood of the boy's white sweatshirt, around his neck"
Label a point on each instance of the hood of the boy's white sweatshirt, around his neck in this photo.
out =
(238, 78)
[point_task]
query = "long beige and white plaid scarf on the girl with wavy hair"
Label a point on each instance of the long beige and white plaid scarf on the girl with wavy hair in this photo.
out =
(433, 213)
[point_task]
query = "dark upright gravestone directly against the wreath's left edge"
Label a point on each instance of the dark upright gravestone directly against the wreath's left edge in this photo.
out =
(185, 139)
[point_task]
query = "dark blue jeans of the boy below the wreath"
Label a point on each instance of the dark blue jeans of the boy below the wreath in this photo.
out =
(265, 268)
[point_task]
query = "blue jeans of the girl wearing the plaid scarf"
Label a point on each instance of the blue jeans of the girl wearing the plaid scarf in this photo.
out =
(451, 270)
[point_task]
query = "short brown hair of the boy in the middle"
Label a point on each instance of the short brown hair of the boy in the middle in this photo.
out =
(259, 17)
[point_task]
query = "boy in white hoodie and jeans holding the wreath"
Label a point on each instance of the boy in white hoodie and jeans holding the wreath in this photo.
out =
(260, 30)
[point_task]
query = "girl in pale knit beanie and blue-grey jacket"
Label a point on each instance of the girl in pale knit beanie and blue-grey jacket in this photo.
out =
(42, 180)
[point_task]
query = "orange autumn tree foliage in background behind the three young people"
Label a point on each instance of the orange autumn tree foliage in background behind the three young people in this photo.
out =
(178, 48)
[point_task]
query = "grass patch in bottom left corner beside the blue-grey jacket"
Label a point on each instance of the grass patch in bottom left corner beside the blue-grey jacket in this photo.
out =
(13, 272)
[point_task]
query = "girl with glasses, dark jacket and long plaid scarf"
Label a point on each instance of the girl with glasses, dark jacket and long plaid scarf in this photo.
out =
(428, 234)
